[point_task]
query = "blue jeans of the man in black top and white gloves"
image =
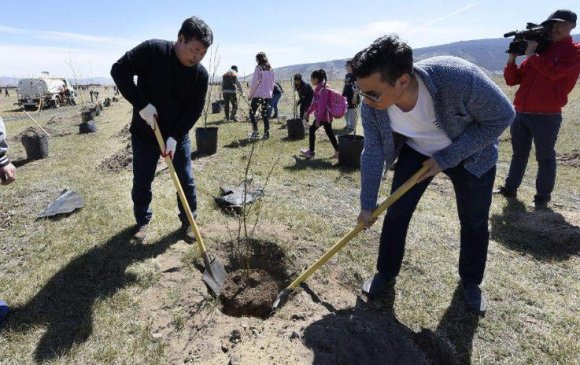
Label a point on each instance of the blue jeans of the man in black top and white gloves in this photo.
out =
(145, 157)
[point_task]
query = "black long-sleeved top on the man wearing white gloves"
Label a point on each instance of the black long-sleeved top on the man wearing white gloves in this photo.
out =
(177, 92)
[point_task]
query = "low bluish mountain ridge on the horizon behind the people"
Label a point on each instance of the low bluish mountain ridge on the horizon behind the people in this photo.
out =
(489, 54)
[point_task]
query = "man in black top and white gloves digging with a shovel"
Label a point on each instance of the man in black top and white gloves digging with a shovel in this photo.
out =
(171, 89)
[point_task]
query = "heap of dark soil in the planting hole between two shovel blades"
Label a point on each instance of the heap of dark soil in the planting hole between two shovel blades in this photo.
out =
(249, 293)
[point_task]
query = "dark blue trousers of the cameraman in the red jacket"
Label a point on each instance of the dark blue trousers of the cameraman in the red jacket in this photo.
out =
(543, 130)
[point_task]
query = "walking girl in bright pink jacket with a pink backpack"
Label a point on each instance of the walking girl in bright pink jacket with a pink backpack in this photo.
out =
(322, 115)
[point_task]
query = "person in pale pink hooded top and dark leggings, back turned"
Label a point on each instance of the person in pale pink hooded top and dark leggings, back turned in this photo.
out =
(261, 94)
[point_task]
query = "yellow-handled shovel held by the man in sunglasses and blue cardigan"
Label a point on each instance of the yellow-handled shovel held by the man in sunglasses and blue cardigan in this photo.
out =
(283, 295)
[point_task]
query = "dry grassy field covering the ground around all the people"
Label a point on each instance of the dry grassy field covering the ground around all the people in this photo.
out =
(82, 293)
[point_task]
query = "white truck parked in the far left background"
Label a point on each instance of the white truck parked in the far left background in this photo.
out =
(41, 92)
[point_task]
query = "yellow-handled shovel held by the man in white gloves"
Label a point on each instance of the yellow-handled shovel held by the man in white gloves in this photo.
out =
(214, 274)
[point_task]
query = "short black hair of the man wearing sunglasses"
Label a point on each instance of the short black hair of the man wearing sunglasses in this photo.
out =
(388, 55)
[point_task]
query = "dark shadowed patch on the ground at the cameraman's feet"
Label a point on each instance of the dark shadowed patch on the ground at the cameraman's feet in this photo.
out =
(544, 234)
